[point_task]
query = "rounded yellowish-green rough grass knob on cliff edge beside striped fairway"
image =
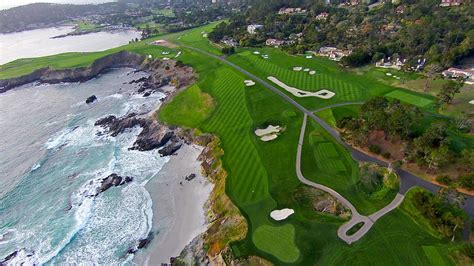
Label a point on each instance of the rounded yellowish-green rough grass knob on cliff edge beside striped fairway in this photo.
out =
(189, 108)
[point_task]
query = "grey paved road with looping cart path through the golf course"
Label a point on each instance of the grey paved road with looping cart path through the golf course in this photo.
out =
(407, 180)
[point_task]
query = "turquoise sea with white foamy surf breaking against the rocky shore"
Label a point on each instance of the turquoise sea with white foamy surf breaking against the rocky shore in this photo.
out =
(52, 158)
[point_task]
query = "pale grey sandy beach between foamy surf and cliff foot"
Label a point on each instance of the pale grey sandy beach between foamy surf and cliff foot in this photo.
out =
(178, 207)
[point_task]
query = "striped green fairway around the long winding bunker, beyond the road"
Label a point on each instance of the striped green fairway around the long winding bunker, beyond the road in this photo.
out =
(347, 85)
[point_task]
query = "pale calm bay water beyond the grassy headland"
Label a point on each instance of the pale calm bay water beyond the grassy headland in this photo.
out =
(37, 43)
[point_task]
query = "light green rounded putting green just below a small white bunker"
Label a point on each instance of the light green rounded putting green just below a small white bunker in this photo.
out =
(278, 241)
